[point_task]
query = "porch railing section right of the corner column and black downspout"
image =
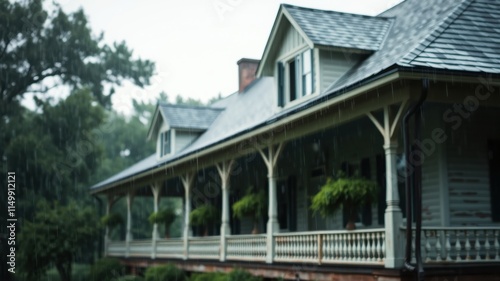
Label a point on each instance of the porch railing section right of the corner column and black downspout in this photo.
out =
(459, 244)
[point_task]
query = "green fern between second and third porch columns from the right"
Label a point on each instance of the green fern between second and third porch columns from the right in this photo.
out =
(252, 205)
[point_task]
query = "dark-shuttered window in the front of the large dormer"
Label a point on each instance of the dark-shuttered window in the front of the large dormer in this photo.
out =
(296, 77)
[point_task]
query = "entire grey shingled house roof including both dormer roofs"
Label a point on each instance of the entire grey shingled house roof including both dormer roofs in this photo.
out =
(451, 35)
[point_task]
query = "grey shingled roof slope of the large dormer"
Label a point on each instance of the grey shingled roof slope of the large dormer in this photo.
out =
(343, 30)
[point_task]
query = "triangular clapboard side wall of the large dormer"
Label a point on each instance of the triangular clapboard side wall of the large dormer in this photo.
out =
(333, 65)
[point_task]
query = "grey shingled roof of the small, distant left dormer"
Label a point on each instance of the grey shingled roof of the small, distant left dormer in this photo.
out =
(189, 117)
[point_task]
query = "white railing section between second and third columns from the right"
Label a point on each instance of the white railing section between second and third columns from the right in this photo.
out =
(246, 247)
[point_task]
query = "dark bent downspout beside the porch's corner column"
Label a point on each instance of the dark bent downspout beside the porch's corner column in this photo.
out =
(413, 181)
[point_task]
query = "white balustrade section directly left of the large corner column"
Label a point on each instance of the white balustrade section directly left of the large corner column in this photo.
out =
(353, 247)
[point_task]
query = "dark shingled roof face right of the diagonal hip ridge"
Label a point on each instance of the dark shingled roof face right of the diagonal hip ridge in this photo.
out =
(468, 40)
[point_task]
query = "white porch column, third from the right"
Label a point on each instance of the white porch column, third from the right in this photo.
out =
(224, 170)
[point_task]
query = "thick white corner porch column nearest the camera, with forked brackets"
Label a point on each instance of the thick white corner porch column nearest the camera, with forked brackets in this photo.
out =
(394, 251)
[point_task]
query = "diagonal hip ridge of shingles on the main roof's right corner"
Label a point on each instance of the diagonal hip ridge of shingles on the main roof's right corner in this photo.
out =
(441, 27)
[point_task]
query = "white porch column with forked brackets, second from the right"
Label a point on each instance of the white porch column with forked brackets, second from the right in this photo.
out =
(272, 223)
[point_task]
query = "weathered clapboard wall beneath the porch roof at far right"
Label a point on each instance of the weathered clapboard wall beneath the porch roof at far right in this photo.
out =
(468, 168)
